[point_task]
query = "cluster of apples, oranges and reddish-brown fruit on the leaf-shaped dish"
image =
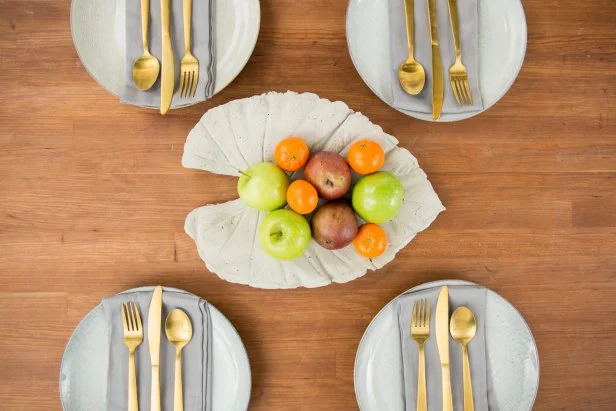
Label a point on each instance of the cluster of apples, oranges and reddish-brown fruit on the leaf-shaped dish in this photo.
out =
(323, 203)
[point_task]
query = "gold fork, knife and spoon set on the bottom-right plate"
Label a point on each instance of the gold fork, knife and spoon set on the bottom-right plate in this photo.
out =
(462, 327)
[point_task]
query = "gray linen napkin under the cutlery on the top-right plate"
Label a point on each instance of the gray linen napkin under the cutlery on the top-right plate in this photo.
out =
(398, 52)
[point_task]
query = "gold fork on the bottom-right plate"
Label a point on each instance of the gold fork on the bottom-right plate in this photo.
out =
(420, 331)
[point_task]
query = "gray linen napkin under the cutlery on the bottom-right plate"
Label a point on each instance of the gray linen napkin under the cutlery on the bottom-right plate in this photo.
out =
(474, 297)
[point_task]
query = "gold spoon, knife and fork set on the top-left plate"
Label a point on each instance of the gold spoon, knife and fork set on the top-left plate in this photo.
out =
(147, 67)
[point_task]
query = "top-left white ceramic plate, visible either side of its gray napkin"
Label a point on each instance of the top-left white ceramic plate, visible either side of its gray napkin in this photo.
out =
(98, 28)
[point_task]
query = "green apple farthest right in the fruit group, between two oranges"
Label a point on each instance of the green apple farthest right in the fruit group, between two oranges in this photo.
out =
(377, 197)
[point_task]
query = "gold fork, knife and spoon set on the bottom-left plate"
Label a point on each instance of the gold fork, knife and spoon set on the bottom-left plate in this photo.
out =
(178, 330)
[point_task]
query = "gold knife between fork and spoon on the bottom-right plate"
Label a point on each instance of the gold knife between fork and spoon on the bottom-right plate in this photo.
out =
(442, 341)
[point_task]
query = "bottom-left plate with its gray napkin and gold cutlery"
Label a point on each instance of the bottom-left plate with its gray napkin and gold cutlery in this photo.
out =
(119, 359)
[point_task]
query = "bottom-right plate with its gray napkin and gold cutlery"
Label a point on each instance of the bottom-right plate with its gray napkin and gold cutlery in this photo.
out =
(447, 345)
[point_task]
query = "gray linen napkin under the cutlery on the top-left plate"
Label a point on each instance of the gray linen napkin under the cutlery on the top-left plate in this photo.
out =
(202, 45)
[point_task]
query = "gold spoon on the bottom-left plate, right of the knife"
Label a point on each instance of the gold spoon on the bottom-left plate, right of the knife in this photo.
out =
(178, 329)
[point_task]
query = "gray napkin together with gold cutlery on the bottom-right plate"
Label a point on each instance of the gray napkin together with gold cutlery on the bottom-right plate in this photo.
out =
(416, 332)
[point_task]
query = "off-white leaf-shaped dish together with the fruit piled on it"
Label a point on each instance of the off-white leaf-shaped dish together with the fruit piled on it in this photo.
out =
(234, 137)
